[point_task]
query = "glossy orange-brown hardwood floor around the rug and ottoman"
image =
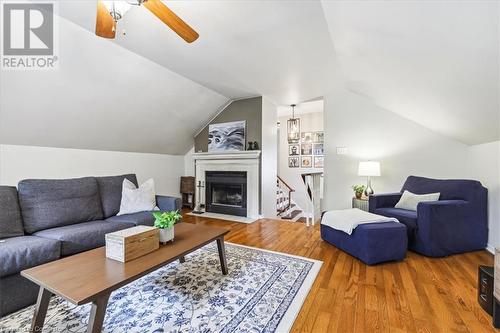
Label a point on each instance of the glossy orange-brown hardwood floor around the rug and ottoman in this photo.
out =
(419, 294)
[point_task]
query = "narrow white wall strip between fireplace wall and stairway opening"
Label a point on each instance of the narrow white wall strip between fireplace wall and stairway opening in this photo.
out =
(269, 158)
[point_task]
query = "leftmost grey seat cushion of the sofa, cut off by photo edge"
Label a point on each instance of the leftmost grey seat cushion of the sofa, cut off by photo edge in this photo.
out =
(18, 253)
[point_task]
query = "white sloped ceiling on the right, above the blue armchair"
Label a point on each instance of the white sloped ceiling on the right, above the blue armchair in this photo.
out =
(433, 62)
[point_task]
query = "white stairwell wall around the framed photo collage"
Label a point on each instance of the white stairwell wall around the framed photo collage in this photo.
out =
(309, 122)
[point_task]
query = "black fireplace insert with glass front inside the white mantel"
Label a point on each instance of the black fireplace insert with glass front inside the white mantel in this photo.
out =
(226, 192)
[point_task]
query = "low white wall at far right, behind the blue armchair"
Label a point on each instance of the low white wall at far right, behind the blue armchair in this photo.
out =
(484, 165)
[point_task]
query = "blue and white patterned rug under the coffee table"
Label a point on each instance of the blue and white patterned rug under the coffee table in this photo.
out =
(263, 292)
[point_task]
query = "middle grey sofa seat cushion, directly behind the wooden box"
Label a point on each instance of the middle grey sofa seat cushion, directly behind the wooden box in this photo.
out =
(82, 236)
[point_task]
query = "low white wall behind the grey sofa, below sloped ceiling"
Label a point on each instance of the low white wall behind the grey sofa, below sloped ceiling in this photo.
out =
(21, 162)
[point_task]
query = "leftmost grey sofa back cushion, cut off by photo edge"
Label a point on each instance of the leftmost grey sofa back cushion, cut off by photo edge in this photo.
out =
(11, 223)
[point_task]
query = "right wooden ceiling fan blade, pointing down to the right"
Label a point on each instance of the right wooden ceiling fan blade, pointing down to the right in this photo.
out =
(172, 20)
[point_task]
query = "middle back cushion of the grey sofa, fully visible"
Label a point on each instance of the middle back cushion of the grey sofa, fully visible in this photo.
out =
(50, 203)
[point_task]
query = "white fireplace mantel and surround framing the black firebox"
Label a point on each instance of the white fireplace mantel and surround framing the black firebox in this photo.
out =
(247, 161)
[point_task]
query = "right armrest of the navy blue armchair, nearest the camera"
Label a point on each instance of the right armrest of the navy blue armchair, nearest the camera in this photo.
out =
(449, 226)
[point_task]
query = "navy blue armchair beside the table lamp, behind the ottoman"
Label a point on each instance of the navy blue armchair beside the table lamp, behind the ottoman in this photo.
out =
(457, 223)
